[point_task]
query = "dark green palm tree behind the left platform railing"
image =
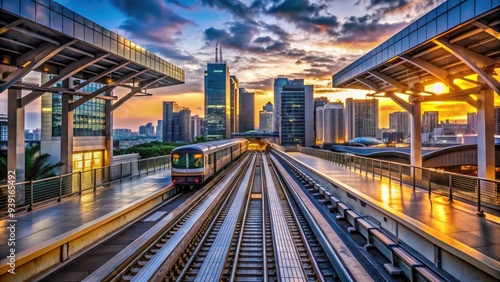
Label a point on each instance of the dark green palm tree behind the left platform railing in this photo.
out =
(36, 165)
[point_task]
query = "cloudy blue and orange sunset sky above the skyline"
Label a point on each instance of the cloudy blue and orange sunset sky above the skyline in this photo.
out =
(261, 40)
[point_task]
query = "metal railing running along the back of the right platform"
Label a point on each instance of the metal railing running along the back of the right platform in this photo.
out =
(480, 191)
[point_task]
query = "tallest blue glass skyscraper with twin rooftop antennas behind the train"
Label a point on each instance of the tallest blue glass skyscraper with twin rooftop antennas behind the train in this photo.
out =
(217, 100)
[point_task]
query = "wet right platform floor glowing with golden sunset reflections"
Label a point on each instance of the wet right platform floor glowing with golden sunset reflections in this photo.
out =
(456, 220)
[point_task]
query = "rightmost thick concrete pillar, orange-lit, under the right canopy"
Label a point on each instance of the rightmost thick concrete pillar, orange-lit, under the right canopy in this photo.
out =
(485, 134)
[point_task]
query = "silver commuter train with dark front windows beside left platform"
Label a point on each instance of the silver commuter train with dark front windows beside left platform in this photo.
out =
(195, 163)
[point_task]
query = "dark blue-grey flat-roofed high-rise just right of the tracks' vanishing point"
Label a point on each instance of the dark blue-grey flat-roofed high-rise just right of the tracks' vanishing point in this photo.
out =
(297, 114)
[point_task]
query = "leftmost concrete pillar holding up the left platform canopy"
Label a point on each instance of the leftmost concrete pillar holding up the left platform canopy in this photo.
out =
(15, 131)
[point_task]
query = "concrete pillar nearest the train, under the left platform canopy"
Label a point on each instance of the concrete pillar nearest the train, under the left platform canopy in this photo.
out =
(66, 135)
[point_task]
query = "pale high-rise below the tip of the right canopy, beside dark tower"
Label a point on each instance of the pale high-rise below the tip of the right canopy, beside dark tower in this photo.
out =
(333, 123)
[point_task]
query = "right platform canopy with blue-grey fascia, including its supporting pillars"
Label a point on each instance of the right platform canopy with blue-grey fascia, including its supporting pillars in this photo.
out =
(456, 44)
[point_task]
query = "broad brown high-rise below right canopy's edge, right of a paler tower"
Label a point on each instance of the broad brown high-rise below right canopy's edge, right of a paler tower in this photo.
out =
(361, 118)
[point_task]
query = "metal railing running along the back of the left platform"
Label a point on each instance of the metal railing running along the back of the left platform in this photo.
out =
(29, 194)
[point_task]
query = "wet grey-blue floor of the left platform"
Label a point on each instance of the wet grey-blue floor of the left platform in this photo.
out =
(45, 223)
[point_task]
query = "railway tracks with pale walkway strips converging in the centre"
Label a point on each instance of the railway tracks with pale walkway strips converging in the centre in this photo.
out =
(245, 228)
